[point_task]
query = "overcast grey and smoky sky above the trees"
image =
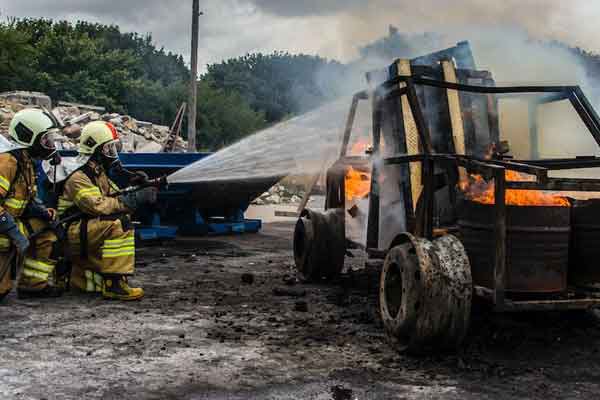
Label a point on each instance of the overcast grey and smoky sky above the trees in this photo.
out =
(332, 28)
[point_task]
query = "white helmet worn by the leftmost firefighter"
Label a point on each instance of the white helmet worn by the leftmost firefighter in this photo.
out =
(28, 124)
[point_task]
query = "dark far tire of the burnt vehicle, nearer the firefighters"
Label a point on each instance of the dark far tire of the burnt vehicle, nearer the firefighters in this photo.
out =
(319, 245)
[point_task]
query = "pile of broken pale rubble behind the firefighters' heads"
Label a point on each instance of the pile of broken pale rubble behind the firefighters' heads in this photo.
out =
(136, 136)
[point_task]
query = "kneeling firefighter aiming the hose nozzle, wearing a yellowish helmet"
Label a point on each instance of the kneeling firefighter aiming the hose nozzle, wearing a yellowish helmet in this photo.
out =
(101, 243)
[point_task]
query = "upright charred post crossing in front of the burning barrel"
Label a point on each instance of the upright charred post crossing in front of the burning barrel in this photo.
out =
(500, 236)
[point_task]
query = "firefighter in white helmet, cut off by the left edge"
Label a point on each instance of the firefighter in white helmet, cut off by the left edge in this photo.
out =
(32, 133)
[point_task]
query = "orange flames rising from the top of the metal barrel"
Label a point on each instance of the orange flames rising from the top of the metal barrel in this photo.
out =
(477, 189)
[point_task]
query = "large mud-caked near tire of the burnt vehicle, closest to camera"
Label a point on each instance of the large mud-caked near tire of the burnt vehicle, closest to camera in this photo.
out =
(425, 294)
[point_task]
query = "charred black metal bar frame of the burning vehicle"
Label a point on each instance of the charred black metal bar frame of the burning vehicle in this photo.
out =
(492, 168)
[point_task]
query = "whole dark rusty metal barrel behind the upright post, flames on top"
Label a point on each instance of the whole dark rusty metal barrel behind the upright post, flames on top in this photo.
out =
(537, 246)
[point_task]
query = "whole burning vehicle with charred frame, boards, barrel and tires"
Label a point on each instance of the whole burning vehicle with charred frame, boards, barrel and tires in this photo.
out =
(449, 212)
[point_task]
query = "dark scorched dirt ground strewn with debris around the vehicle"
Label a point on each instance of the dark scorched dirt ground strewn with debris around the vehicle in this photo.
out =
(202, 333)
